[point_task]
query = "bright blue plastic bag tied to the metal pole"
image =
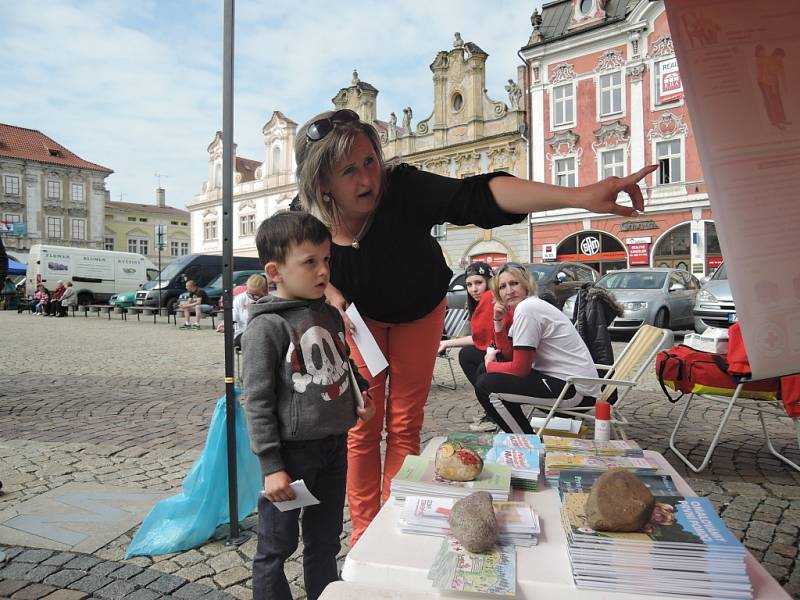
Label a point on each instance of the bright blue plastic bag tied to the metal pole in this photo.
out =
(187, 520)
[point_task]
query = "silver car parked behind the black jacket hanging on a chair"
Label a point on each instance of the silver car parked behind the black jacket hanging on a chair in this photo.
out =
(654, 296)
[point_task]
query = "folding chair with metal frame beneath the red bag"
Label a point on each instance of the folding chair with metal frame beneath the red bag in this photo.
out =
(737, 399)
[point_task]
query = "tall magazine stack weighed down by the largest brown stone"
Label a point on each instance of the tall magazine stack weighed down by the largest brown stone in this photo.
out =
(684, 551)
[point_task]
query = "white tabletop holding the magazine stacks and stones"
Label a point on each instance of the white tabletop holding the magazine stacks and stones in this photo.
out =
(395, 565)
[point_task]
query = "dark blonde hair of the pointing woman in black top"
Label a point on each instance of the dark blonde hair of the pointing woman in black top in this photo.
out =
(316, 160)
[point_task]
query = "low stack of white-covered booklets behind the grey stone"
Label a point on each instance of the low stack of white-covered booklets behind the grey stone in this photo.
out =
(517, 522)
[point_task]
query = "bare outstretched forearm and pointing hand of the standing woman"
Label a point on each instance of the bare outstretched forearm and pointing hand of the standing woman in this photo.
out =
(515, 195)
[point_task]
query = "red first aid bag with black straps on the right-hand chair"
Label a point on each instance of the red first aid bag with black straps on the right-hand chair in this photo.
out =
(691, 371)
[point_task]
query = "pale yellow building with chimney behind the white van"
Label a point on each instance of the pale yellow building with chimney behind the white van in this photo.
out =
(134, 227)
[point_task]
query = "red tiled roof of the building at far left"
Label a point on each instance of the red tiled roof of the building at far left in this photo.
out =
(31, 144)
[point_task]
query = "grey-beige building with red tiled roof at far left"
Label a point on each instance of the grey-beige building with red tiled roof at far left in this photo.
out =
(48, 194)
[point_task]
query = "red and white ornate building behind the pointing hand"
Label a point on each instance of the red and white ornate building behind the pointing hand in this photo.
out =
(606, 98)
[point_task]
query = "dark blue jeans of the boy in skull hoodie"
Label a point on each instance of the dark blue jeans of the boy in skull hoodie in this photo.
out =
(322, 464)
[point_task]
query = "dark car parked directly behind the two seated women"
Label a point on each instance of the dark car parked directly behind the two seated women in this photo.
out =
(555, 282)
